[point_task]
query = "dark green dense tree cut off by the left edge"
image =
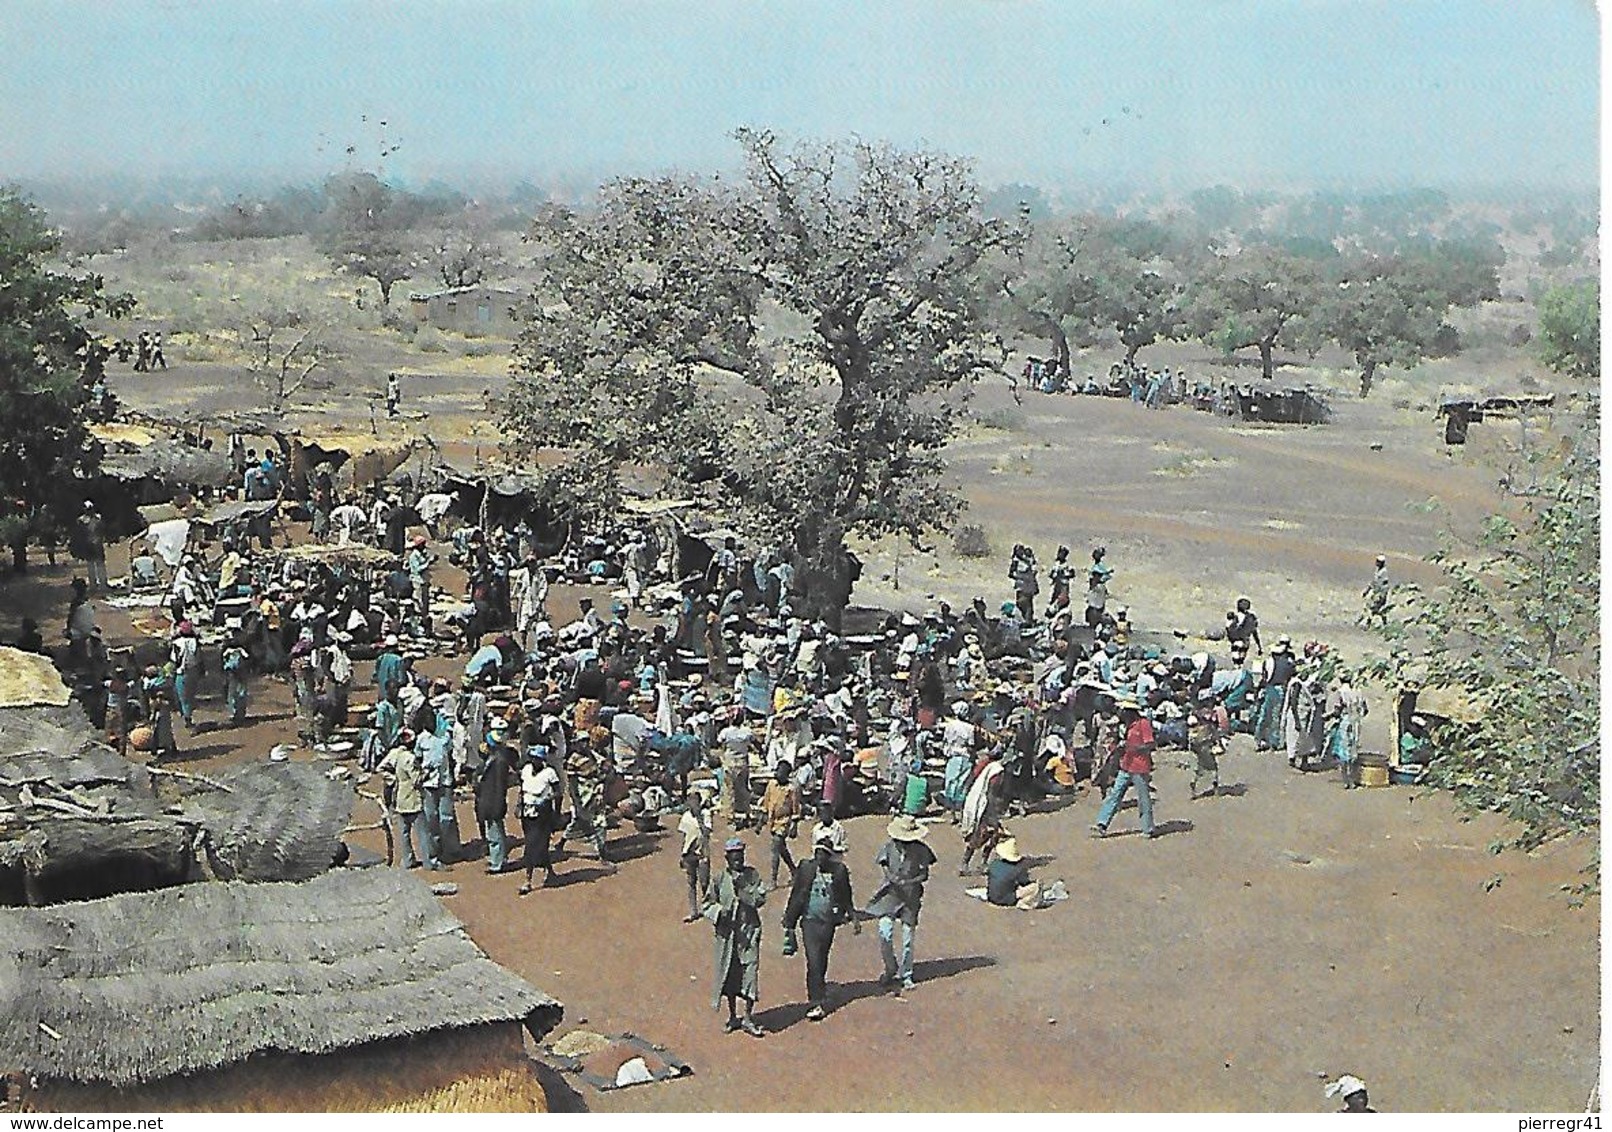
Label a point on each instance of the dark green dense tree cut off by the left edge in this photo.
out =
(49, 362)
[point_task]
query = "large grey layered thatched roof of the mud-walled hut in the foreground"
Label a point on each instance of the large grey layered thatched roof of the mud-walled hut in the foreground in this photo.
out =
(147, 986)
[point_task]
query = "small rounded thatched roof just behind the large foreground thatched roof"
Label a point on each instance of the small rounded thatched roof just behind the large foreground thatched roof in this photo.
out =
(278, 822)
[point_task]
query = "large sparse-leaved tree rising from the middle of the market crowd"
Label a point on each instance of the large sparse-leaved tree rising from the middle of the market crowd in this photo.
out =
(794, 346)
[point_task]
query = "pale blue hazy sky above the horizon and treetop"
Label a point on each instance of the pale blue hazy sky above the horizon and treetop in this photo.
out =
(1182, 93)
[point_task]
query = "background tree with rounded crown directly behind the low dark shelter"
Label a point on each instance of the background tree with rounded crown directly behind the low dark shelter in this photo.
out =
(1258, 298)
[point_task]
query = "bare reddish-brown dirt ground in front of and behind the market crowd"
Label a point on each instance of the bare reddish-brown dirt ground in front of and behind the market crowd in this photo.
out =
(1278, 936)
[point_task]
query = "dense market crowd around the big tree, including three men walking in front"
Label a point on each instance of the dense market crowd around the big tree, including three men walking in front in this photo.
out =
(710, 701)
